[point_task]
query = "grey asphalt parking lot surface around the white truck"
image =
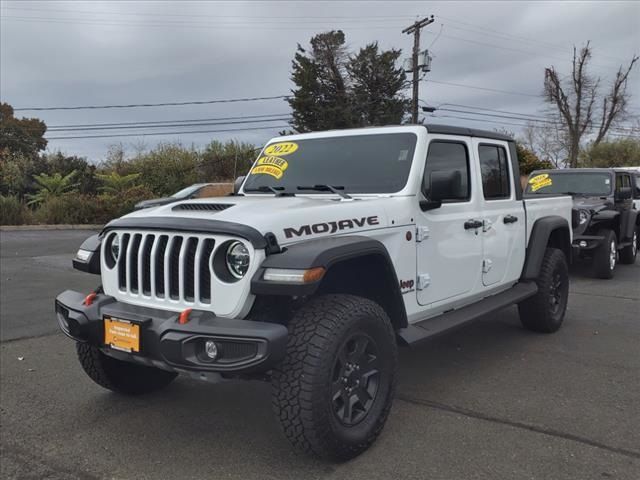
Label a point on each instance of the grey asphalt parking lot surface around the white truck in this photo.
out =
(489, 401)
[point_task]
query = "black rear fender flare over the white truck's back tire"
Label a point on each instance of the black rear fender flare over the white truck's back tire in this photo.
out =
(541, 233)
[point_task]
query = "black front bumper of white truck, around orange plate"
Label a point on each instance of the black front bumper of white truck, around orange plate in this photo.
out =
(244, 346)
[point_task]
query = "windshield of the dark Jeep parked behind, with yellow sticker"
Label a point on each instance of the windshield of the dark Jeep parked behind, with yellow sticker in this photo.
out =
(581, 183)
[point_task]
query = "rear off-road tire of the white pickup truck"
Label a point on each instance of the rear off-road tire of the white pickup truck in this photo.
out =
(544, 312)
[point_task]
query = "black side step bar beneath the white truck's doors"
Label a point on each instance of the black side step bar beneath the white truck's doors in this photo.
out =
(432, 327)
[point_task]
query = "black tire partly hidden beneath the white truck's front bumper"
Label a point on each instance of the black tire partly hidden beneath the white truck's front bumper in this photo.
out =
(119, 376)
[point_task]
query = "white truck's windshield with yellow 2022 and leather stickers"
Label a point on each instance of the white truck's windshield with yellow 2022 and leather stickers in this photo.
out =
(377, 163)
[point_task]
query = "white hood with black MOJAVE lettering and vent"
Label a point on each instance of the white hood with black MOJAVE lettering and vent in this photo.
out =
(290, 219)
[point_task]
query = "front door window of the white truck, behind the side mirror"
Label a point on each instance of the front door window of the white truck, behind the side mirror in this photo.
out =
(452, 158)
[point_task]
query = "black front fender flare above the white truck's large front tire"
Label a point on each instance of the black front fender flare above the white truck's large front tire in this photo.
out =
(328, 252)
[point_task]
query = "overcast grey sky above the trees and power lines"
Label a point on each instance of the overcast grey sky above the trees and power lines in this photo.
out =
(112, 53)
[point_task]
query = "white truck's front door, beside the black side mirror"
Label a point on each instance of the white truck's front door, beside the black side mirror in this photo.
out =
(449, 254)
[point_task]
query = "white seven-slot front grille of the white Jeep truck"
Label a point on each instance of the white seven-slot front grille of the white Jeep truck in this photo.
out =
(165, 266)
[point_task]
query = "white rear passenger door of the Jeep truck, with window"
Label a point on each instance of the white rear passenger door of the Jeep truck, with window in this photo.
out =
(504, 229)
